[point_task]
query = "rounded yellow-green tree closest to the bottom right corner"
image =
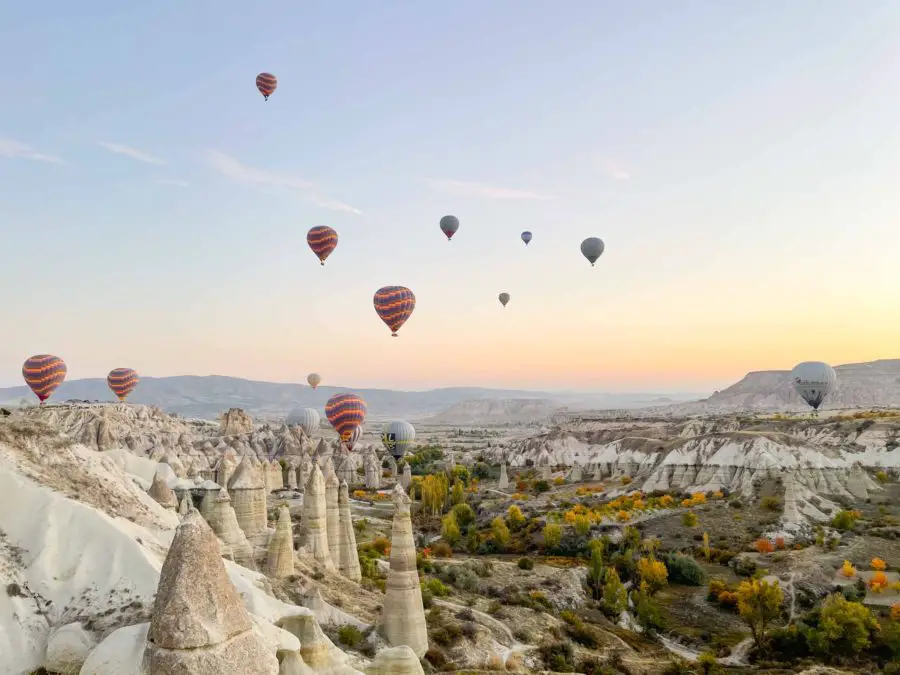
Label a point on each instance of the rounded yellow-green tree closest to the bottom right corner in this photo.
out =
(845, 629)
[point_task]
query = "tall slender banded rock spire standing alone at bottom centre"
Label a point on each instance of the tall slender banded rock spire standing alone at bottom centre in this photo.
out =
(402, 621)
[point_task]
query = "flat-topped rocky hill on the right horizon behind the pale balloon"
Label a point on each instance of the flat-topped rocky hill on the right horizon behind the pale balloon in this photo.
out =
(859, 385)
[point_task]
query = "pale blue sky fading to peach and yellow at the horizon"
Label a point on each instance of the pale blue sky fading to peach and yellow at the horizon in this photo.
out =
(739, 159)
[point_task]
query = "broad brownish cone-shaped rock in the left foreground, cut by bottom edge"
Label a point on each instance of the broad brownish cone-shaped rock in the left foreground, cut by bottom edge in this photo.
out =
(199, 624)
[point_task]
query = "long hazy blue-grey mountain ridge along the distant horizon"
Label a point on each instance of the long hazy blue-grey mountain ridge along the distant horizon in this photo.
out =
(207, 396)
